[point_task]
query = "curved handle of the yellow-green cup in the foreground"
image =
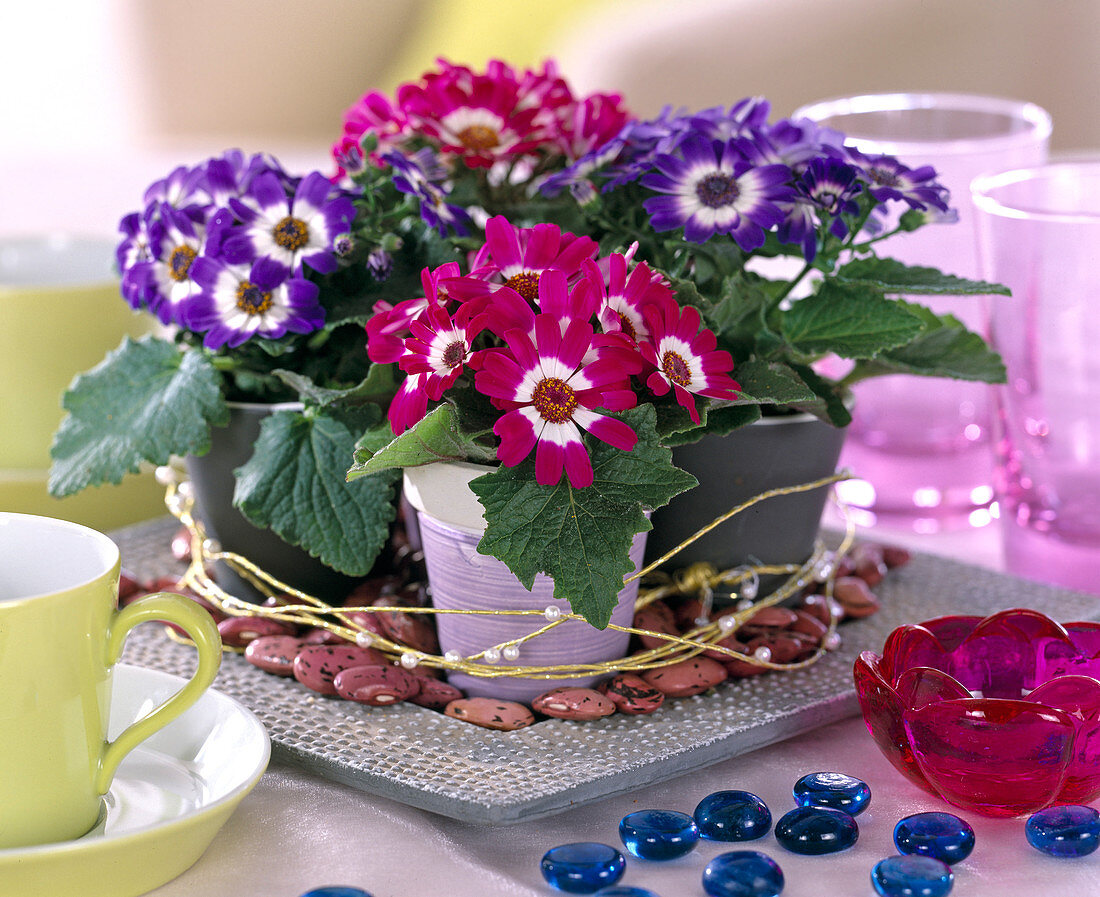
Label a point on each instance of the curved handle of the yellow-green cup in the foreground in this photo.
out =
(199, 625)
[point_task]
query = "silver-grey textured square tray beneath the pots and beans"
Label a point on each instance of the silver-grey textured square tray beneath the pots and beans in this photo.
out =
(426, 760)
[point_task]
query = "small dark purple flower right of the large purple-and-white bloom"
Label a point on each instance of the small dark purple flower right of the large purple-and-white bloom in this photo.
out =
(824, 193)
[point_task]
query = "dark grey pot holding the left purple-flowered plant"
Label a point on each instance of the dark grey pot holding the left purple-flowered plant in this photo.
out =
(213, 480)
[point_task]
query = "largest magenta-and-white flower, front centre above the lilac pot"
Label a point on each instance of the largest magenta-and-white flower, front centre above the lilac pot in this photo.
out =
(552, 392)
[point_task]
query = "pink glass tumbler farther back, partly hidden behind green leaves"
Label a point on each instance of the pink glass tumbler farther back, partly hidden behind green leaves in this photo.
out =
(920, 447)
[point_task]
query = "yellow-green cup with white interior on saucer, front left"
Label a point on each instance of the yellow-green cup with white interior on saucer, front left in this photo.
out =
(61, 633)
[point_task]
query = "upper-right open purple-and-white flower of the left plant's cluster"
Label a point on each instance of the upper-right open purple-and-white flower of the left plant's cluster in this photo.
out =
(292, 229)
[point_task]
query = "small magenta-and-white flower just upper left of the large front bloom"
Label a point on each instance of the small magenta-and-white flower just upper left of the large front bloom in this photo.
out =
(441, 347)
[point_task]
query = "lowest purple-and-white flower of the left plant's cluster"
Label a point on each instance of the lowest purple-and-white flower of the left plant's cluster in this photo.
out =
(241, 302)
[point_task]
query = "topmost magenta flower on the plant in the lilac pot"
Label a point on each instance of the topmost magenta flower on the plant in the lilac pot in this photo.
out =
(516, 258)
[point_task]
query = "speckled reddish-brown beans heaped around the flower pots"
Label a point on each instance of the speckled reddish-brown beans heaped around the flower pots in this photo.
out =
(327, 664)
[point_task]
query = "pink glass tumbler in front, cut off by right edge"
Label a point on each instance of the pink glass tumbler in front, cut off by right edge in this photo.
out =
(1040, 234)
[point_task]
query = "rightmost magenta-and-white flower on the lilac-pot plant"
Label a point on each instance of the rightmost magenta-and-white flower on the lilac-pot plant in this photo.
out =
(686, 357)
